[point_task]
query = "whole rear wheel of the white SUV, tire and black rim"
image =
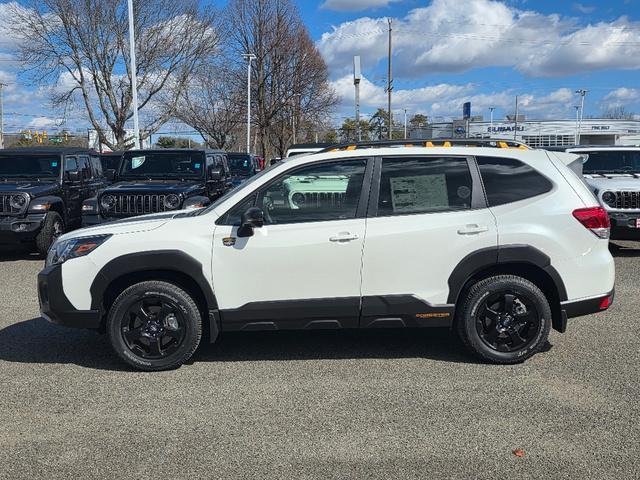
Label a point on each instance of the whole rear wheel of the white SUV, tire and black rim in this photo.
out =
(504, 319)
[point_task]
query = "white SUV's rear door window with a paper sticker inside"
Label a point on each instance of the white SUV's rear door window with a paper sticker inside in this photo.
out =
(413, 185)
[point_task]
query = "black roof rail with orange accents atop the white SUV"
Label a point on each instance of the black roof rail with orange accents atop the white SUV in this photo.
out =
(435, 142)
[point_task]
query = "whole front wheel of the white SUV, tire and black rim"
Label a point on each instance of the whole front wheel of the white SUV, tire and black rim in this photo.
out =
(154, 326)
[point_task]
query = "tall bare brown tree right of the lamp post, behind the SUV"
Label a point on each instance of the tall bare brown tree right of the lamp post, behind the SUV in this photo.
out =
(289, 79)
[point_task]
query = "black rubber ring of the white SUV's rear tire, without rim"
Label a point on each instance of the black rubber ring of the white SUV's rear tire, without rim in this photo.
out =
(476, 300)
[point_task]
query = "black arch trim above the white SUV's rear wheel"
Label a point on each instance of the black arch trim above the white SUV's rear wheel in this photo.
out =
(489, 257)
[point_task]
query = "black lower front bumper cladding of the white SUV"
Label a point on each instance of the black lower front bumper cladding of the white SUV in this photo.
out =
(56, 308)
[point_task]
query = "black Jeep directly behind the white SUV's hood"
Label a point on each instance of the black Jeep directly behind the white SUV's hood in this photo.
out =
(151, 181)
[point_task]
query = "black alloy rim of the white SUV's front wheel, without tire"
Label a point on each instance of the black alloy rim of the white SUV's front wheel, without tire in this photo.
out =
(153, 327)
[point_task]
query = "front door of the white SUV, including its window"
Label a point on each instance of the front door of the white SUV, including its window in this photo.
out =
(302, 269)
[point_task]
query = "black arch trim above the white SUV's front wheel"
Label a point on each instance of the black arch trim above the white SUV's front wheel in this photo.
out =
(154, 260)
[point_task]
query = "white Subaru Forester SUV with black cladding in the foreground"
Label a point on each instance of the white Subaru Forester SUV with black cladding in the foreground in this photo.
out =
(493, 240)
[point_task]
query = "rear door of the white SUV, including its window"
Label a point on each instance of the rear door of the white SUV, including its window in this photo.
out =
(426, 214)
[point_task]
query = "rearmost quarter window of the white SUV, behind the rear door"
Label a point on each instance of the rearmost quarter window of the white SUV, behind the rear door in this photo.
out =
(508, 180)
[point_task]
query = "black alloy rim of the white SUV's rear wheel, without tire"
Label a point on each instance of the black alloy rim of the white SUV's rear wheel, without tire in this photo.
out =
(507, 322)
